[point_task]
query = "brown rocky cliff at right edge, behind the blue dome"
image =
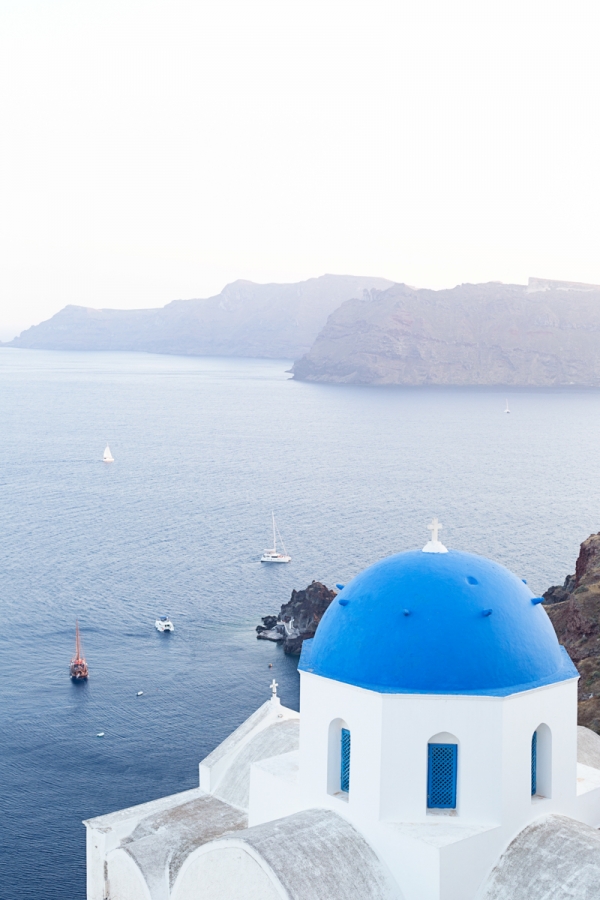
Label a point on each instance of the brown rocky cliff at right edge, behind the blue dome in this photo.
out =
(575, 613)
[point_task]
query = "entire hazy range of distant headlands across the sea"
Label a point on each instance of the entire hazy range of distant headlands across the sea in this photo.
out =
(347, 329)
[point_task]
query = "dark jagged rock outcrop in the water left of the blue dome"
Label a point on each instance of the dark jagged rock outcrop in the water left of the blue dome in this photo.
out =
(298, 619)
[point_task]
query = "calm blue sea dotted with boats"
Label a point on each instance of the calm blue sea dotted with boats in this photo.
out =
(204, 449)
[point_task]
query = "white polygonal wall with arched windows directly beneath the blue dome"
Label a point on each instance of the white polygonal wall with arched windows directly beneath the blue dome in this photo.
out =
(389, 739)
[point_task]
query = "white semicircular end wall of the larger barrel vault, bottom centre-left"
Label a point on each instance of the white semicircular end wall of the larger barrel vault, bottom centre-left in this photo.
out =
(225, 873)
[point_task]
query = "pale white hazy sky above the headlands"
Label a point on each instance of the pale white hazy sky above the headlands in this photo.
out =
(154, 150)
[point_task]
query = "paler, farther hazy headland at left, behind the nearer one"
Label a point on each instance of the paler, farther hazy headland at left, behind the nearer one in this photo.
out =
(277, 321)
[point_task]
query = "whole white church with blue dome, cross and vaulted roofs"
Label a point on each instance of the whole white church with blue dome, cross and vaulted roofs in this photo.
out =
(436, 756)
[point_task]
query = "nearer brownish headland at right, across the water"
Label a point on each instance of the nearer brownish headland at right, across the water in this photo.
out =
(545, 334)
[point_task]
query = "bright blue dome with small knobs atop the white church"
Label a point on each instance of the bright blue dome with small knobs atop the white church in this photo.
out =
(437, 623)
